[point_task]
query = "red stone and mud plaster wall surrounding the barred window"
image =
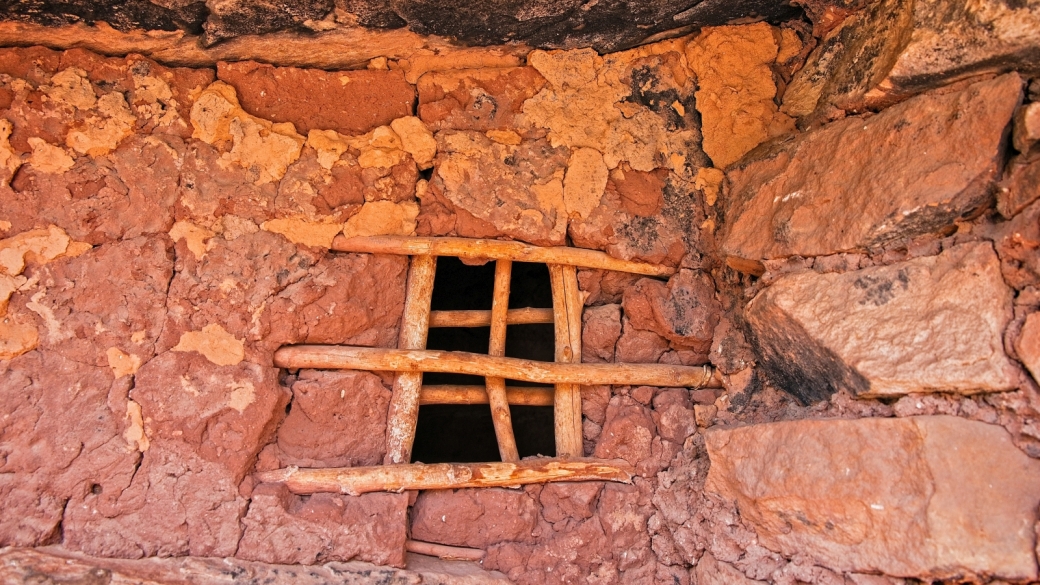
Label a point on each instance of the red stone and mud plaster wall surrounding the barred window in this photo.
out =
(857, 259)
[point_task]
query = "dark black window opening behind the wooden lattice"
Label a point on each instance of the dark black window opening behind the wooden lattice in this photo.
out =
(465, 434)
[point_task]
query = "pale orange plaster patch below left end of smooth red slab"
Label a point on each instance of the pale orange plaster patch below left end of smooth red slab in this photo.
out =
(264, 148)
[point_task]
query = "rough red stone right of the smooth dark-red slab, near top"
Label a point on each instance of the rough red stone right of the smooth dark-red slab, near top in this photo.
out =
(477, 99)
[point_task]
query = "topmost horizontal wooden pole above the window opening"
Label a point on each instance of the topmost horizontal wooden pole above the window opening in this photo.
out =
(495, 250)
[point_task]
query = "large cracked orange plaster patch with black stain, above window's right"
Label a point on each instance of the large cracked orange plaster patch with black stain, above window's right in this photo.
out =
(594, 103)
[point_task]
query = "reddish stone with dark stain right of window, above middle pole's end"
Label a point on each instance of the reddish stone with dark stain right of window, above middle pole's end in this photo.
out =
(685, 312)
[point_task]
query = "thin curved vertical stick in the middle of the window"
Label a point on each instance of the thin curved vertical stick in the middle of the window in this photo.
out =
(497, 347)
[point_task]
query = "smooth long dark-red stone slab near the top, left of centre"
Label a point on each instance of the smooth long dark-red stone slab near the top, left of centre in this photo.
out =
(351, 103)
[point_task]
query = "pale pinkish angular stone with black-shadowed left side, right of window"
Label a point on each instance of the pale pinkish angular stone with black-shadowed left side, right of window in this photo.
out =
(864, 332)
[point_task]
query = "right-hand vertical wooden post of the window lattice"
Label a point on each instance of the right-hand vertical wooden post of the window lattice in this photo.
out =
(567, 403)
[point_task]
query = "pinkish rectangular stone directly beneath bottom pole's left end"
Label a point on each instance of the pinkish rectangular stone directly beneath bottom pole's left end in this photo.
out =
(287, 529)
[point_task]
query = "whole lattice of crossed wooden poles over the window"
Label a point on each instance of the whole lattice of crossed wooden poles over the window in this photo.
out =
(412, 360)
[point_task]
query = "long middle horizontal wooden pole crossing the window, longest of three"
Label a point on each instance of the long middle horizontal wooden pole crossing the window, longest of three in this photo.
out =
(378, 360)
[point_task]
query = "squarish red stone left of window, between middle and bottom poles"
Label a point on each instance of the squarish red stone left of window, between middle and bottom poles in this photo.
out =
(339, 420)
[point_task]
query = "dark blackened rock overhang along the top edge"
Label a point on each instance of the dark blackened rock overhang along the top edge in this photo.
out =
(606, 26)
